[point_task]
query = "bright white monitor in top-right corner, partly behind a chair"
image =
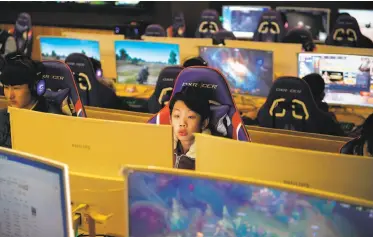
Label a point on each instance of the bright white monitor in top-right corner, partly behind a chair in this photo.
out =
(364, 19)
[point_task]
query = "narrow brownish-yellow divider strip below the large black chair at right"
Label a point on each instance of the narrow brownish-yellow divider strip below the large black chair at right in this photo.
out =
(293, 141)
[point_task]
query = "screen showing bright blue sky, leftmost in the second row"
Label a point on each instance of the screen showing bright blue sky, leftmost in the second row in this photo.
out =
(58, 48)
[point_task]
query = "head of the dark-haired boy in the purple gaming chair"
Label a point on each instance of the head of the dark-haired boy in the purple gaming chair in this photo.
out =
(190, 113)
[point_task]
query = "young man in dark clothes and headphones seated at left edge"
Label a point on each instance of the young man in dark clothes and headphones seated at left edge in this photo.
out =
(19, 77)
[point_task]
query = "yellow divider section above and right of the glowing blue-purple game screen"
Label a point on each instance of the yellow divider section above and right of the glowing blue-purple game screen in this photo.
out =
(285, 56)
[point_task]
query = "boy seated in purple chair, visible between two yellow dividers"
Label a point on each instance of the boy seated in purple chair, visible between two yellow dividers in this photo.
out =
(190, 113)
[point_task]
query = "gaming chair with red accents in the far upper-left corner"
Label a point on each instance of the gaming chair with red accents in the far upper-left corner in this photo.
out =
(22, 33)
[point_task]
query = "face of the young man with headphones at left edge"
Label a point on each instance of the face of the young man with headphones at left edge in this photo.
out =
(18, 96)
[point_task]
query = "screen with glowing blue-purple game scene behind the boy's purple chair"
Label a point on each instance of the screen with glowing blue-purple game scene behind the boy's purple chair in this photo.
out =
(248, 71)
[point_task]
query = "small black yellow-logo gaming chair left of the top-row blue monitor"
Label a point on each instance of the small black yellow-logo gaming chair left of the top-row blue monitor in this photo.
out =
(208, 24)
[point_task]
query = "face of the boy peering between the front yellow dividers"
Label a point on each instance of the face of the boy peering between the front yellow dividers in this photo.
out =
(185, 122)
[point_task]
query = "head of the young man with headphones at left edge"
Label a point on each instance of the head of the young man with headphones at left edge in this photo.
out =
(18, 77)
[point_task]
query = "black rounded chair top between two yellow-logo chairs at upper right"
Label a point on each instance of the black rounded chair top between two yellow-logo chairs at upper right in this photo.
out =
(300, 36)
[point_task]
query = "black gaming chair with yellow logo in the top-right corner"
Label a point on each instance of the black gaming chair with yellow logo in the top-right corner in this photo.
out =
(346, 32)
